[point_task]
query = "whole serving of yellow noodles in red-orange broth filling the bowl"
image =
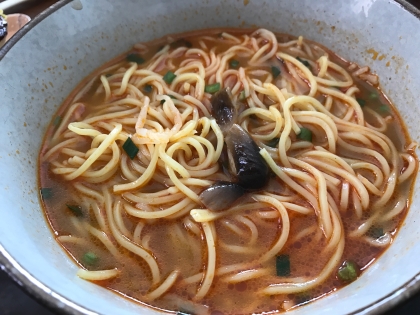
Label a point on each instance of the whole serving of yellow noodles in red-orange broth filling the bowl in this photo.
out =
(130, 154)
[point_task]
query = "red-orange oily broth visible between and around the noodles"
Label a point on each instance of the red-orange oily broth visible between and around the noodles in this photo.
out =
(306, 259)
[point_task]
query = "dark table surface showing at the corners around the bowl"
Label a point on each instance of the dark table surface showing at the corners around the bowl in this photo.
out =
(14, 301)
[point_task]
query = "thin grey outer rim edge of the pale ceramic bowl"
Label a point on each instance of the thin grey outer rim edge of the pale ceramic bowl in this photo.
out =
(60, 303)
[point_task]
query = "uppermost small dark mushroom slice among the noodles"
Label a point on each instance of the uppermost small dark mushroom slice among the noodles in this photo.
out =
(223, 110)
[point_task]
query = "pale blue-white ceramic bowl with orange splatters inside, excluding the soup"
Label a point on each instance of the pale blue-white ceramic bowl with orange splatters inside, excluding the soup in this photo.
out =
(42, 64)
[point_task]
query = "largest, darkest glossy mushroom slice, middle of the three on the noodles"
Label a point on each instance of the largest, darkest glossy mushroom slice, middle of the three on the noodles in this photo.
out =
(247, 164)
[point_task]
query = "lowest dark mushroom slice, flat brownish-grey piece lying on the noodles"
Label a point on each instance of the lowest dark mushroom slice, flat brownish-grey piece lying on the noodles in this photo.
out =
(221, 195)
